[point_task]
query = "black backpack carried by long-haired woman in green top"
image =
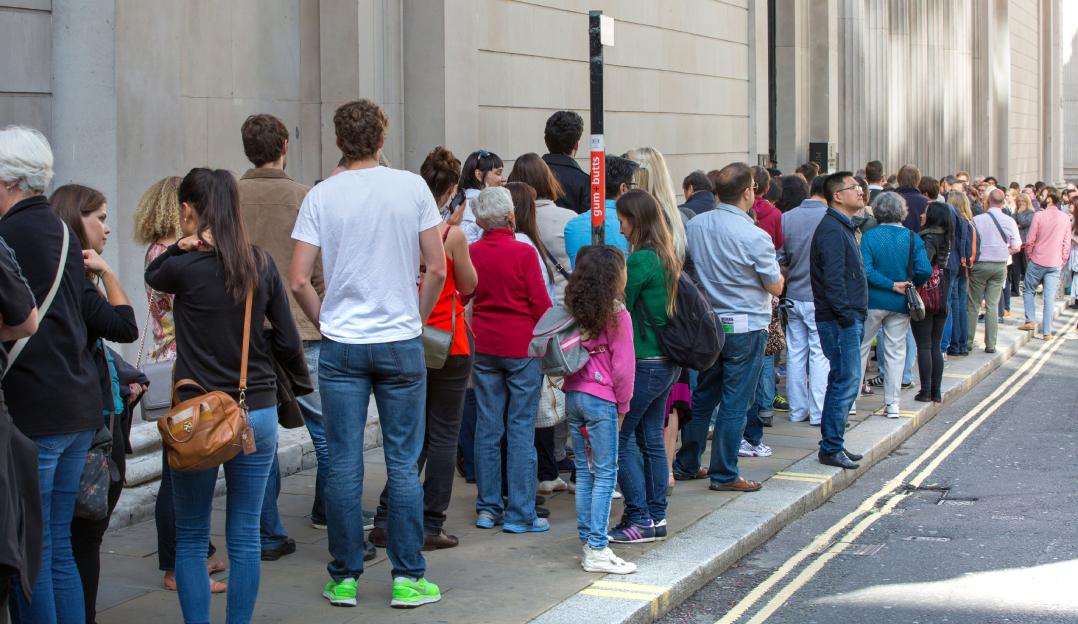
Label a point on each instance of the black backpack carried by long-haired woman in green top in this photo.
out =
(693, 339)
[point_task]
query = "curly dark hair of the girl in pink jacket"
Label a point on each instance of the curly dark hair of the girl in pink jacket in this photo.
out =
(596, 294)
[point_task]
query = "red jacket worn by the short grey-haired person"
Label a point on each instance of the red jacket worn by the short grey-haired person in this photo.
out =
(510, 298)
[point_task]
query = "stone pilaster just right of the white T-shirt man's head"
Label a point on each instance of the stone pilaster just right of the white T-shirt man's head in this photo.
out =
(441, 78)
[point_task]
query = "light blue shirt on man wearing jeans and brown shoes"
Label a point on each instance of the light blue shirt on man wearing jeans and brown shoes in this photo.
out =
(734, 260)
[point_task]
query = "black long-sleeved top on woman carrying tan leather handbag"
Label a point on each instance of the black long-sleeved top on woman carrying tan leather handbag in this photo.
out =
(210, 326)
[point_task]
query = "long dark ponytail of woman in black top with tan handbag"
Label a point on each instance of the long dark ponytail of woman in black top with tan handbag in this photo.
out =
(214, 196)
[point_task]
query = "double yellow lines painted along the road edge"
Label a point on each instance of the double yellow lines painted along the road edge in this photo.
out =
(869, 507)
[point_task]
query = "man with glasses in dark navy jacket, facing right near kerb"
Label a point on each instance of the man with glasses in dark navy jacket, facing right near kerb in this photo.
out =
(840, 293)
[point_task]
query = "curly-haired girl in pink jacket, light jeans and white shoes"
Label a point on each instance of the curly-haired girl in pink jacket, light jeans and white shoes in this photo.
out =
(598, 396)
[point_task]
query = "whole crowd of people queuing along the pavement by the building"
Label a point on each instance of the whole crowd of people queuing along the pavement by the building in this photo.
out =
(425, 290)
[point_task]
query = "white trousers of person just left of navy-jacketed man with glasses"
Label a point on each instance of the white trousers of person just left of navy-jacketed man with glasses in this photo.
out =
(807, 368)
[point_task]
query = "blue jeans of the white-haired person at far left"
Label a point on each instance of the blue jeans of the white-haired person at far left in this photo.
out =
(58, 594)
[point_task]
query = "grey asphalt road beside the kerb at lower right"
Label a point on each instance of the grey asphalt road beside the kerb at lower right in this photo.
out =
(989, 537)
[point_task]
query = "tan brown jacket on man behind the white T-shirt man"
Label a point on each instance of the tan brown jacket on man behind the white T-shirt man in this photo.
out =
(271, 202)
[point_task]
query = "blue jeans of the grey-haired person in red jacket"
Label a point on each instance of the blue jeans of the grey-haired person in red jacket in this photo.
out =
(501, 382)
